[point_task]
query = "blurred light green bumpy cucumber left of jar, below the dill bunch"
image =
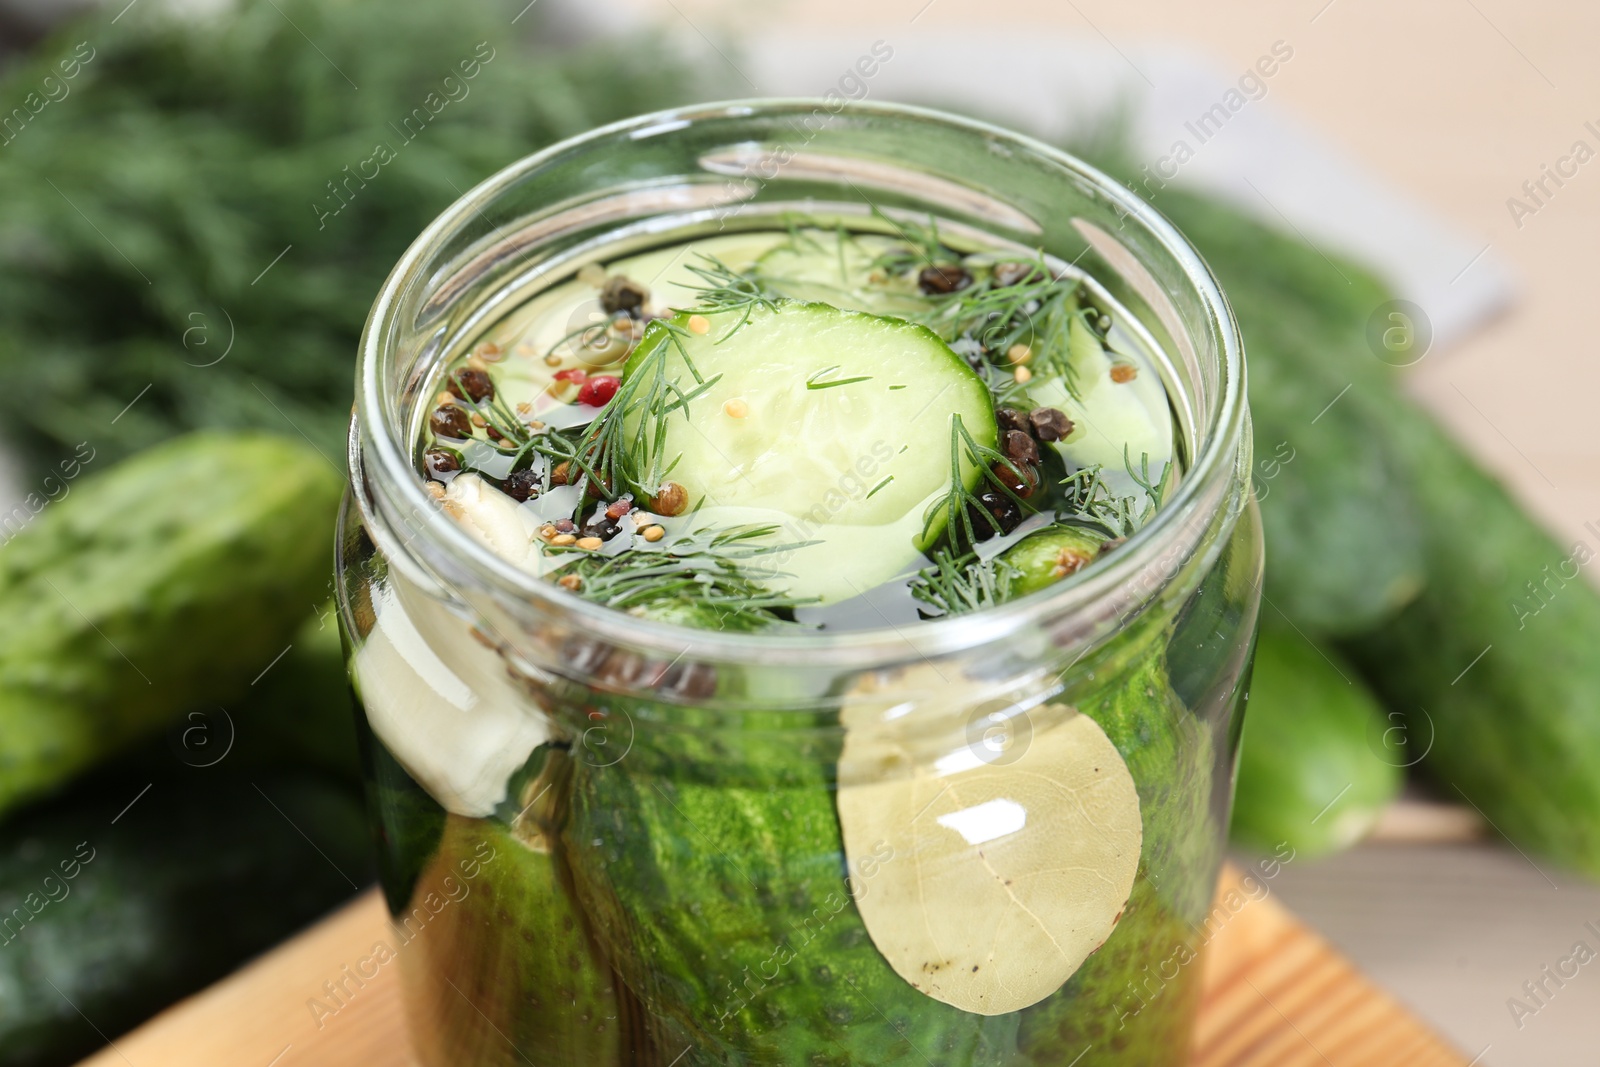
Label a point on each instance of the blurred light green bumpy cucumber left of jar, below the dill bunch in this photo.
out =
(162, 585)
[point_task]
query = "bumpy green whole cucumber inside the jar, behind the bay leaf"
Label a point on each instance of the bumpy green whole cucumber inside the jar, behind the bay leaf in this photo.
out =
(713, 866)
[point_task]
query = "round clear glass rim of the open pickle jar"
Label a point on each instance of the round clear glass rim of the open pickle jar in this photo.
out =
(375, 442)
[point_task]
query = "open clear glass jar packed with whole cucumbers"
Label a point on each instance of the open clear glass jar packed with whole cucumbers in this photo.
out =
(614, 842)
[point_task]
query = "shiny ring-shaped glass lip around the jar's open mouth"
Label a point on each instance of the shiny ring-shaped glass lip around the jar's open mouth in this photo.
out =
(1118, 586)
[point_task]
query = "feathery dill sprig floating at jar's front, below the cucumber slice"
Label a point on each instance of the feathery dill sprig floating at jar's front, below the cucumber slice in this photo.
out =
(710, 569)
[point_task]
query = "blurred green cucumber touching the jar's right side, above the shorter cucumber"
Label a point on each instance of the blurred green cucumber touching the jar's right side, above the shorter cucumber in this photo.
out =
(1342, 518)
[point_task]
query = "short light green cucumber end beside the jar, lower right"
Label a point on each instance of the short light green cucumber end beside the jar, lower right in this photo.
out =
(1310, 772)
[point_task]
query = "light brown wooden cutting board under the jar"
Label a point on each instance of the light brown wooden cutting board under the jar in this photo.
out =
(1276, 996)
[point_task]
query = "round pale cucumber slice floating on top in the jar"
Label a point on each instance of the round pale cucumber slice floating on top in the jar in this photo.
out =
(831, 425)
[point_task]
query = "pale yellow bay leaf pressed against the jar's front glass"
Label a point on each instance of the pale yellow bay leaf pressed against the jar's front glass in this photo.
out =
(990, 882)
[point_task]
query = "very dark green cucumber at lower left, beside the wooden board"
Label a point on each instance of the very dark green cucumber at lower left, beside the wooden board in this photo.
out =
(124, 919)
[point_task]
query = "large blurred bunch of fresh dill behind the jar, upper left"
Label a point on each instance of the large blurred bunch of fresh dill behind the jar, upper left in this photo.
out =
(238, 215)
